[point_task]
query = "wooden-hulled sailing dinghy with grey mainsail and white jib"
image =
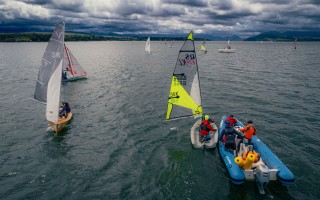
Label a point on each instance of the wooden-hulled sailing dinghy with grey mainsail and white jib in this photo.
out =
(48, 85)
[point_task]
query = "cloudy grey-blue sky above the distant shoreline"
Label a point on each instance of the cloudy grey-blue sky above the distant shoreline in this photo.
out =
(214, 17)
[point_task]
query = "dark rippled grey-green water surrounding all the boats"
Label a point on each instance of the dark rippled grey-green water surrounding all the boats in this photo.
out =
(118, 146)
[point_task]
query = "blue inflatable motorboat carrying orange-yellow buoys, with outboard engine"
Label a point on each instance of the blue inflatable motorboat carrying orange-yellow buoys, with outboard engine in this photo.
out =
(254, 162)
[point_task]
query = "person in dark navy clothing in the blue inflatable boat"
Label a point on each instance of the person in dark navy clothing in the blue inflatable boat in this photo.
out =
(229, 135)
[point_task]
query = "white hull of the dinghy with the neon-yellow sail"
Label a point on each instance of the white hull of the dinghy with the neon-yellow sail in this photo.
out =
(195, 136)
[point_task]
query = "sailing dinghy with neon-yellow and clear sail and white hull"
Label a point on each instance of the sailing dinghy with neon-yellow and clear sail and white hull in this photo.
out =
(185, 94)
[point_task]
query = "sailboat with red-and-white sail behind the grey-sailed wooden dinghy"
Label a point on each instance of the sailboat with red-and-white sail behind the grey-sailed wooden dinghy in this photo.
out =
(72, 69)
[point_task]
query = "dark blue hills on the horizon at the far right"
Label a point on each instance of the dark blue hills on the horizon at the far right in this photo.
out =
(286, 36)
